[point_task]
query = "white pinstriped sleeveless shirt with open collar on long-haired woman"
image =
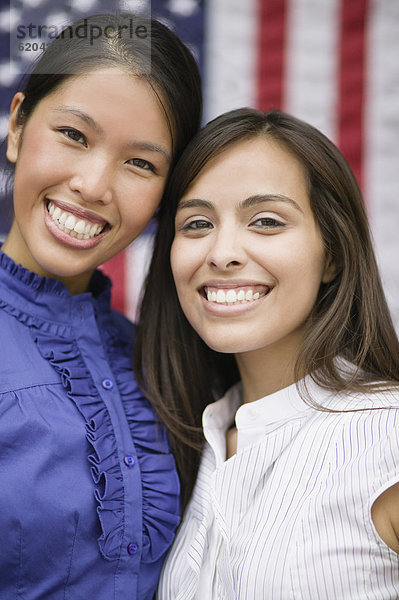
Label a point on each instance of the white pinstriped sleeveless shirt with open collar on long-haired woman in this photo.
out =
(289, 516)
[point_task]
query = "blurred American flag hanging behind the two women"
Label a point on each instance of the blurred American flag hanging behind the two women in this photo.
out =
(333, 63)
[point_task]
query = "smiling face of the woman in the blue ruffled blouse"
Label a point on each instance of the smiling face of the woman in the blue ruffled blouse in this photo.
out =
(91, 166)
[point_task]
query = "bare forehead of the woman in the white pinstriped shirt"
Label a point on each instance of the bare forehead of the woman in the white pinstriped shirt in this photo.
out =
(257, 165)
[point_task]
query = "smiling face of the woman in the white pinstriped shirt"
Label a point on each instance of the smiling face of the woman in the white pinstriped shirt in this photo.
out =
(247, 257)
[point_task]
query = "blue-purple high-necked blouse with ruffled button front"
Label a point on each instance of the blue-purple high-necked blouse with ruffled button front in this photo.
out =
(89, 494)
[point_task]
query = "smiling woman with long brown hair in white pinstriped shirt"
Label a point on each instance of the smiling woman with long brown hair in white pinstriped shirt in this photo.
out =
(273, 292)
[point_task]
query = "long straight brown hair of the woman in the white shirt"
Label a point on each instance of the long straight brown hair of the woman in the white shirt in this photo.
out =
(350, 320)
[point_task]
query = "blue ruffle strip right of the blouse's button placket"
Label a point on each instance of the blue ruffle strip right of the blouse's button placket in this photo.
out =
(160, 482)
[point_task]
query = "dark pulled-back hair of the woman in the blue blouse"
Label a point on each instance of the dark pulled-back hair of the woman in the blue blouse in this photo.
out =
(159, 57)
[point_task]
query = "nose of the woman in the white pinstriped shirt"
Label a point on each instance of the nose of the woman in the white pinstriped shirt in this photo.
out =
(227, 251)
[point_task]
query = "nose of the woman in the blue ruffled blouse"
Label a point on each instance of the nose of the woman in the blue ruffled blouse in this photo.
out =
(92, 179)
